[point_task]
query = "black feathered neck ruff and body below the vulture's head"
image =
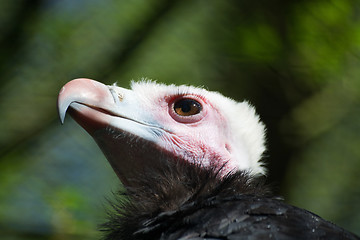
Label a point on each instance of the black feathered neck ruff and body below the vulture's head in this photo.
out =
(185, 201)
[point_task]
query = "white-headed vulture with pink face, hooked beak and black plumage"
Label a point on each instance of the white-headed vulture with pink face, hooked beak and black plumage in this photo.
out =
(190, 161)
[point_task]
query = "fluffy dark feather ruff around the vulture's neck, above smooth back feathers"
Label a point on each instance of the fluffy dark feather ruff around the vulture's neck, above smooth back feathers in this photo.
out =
(171, 188)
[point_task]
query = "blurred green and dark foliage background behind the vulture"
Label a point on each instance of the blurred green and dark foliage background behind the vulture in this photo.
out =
(298, 62)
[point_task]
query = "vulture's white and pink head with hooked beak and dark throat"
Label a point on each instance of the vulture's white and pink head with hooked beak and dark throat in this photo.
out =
(150, 122)
